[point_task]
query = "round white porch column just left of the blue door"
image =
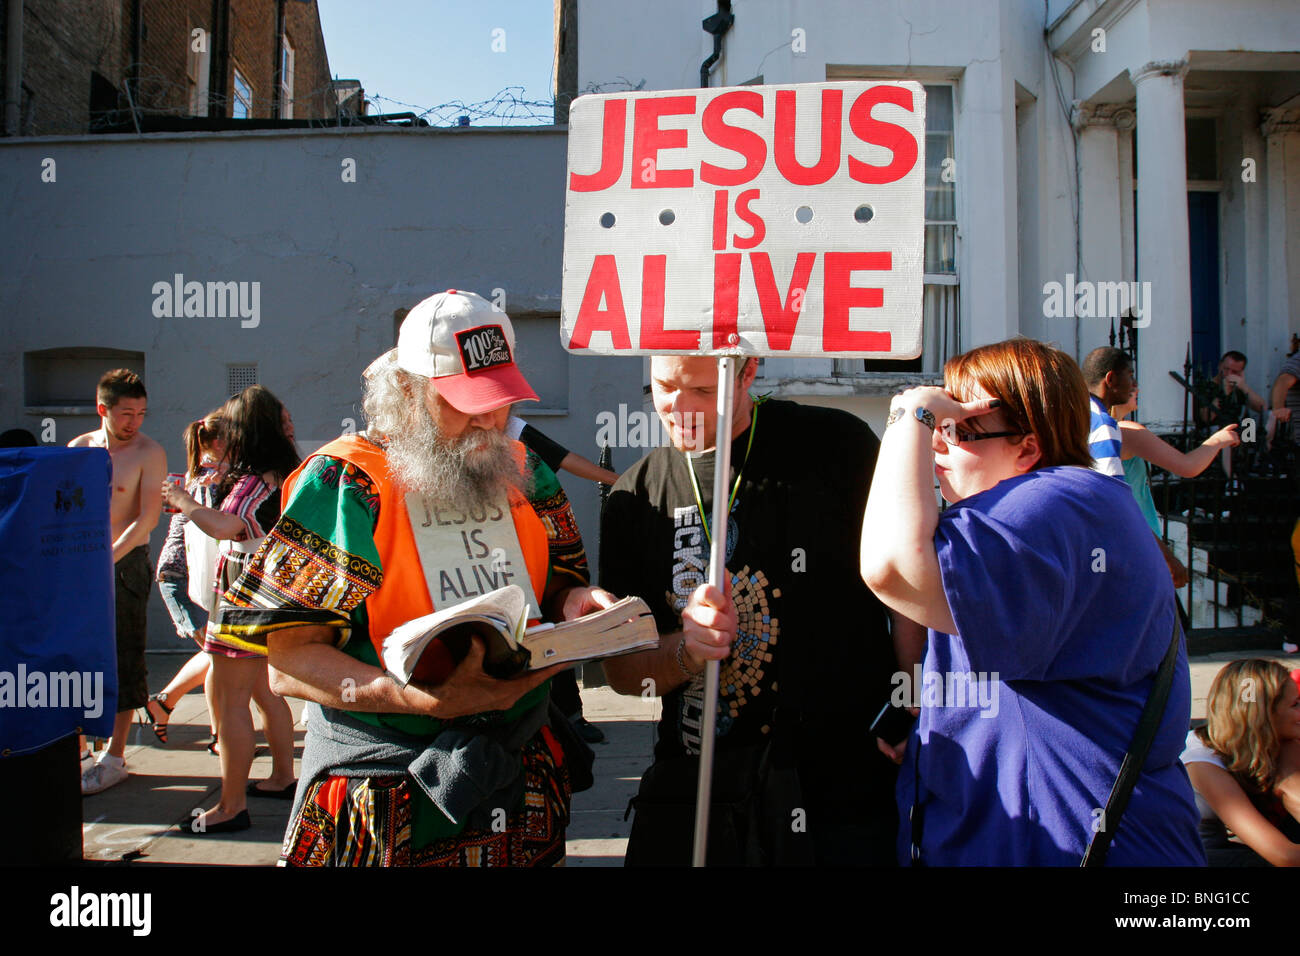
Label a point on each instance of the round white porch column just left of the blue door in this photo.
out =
(1163, 244)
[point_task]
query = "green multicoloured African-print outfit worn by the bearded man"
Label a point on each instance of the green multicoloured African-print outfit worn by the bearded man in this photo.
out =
(318, 566)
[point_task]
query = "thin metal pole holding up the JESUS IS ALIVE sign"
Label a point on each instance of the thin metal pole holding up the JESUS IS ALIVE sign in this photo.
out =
(718, 579)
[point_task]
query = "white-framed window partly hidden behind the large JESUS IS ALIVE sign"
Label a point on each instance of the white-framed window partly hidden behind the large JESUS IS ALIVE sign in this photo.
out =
(942, 287)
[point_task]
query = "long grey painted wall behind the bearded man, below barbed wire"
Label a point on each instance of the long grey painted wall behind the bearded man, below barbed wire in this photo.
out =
(431, 210)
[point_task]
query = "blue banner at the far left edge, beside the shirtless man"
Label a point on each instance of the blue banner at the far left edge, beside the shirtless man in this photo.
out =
(58, 648)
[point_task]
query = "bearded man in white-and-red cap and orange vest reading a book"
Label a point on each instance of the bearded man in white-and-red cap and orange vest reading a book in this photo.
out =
(427, 509)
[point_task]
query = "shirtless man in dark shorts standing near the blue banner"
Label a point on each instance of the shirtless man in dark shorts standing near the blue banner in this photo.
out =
(140, 466)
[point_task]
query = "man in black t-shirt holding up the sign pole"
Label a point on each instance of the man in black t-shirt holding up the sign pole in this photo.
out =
(805, 648)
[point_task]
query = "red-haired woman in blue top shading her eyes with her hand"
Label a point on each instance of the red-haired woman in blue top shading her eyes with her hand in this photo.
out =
(1048, 600)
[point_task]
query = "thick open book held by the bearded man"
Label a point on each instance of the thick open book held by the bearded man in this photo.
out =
(428, 650)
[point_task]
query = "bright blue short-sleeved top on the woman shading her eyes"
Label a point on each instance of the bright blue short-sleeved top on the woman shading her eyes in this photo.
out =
(1065, 608)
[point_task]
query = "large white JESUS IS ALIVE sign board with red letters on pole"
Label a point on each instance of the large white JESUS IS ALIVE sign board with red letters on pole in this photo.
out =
(760, 220)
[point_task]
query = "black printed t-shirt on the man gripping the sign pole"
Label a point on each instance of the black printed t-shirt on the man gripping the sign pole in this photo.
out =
(813, 642)
